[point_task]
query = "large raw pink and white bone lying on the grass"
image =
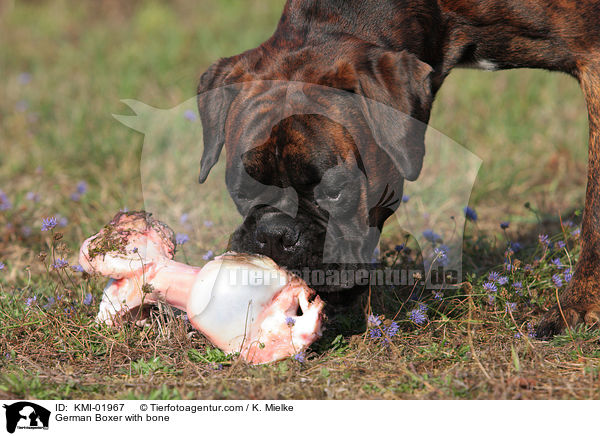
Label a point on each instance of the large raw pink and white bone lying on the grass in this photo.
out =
(241, 303)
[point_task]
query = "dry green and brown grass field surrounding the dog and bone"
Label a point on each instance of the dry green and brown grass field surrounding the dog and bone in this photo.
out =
(529, 128)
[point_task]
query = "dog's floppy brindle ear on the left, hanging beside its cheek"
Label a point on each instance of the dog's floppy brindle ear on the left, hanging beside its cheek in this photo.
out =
(214, 99)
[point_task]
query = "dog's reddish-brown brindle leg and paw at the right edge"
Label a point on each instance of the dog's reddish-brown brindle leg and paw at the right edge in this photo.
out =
(580, 302)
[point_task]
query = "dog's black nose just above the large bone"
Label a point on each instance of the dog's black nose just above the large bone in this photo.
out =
(276, 233)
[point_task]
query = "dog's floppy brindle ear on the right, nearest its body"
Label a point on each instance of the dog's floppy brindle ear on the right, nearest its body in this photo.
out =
(401, 81)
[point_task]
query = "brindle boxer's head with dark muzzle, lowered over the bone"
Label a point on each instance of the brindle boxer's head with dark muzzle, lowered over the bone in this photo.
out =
(319, 141)
